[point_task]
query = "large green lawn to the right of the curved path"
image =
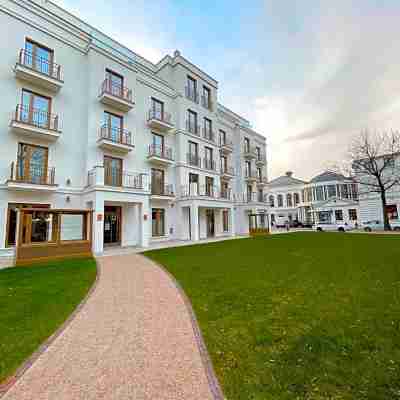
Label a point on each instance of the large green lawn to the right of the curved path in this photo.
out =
(297, 316)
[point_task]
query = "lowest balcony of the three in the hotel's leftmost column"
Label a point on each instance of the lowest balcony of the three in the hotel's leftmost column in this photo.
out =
(31, 177)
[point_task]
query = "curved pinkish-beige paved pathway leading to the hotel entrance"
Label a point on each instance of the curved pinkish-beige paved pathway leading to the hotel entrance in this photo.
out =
(133, 339)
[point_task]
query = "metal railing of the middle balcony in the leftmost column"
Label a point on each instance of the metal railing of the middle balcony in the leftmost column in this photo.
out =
(36, 117)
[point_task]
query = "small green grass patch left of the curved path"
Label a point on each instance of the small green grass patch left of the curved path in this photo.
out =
(34, 302)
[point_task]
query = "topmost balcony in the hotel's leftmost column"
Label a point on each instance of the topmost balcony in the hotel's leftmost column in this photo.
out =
(38, 71)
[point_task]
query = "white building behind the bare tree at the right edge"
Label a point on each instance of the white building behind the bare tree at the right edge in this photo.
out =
(370, 203)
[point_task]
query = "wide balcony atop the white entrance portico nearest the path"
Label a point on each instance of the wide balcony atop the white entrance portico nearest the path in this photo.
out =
(117, 179)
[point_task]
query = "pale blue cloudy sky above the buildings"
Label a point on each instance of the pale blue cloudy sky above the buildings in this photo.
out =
(308, 74)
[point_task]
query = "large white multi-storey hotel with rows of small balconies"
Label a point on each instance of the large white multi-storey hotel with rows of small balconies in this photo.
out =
(86, 123)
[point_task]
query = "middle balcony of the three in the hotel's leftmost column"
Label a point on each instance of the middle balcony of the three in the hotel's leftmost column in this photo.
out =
(36, 123)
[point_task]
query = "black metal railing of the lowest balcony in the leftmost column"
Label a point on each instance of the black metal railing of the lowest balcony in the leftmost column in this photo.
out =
(32, 173)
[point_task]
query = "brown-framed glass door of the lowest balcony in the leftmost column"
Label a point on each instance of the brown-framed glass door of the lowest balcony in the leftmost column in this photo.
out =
(32, 163)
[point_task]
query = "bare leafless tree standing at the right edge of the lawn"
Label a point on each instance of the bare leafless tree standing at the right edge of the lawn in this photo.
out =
(372, 164)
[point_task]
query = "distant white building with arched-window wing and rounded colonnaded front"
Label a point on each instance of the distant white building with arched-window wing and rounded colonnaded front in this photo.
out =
(329, 197)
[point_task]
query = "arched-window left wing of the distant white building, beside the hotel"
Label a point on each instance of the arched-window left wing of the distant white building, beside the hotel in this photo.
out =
(284, 194)
